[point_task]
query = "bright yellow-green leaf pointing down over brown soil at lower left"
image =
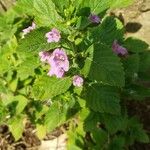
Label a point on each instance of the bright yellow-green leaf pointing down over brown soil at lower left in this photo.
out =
(16, 127)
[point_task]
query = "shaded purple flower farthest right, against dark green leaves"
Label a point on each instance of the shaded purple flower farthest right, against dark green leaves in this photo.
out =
(118, 49)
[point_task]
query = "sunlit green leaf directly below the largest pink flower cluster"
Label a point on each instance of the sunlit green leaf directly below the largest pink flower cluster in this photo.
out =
(48, 87)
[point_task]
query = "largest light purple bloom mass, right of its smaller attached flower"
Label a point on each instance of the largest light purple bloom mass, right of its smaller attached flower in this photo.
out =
(59, 63)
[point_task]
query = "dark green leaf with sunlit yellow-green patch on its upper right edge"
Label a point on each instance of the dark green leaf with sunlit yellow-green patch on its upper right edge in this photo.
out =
(109, 30)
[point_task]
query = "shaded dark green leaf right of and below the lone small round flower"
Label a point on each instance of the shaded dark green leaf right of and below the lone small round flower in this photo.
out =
(104, 99)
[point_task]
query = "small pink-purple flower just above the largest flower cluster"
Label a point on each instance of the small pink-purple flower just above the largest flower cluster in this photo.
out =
(53, 36)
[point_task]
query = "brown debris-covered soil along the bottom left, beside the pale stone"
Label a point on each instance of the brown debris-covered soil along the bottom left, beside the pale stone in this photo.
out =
(28, 141)
